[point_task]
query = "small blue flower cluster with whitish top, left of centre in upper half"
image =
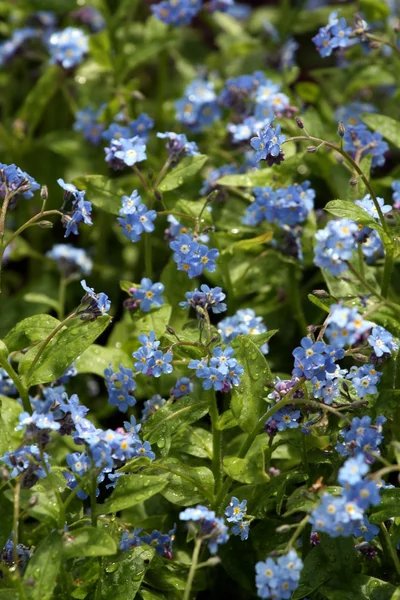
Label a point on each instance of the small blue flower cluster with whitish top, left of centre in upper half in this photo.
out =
(135, 217)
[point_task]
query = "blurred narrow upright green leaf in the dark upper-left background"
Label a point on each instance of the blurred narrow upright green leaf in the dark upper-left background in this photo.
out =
(40, 95)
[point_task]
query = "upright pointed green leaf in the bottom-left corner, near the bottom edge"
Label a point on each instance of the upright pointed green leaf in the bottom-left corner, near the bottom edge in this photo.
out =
(43, 568)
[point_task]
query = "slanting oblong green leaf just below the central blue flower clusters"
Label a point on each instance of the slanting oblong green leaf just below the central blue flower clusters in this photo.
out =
(170, 417)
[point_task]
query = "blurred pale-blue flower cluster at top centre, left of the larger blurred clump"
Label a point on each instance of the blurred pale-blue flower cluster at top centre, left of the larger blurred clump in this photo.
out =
(199, 107)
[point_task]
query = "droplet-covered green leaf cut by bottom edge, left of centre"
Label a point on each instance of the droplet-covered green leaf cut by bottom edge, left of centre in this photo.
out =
(123, 577)
